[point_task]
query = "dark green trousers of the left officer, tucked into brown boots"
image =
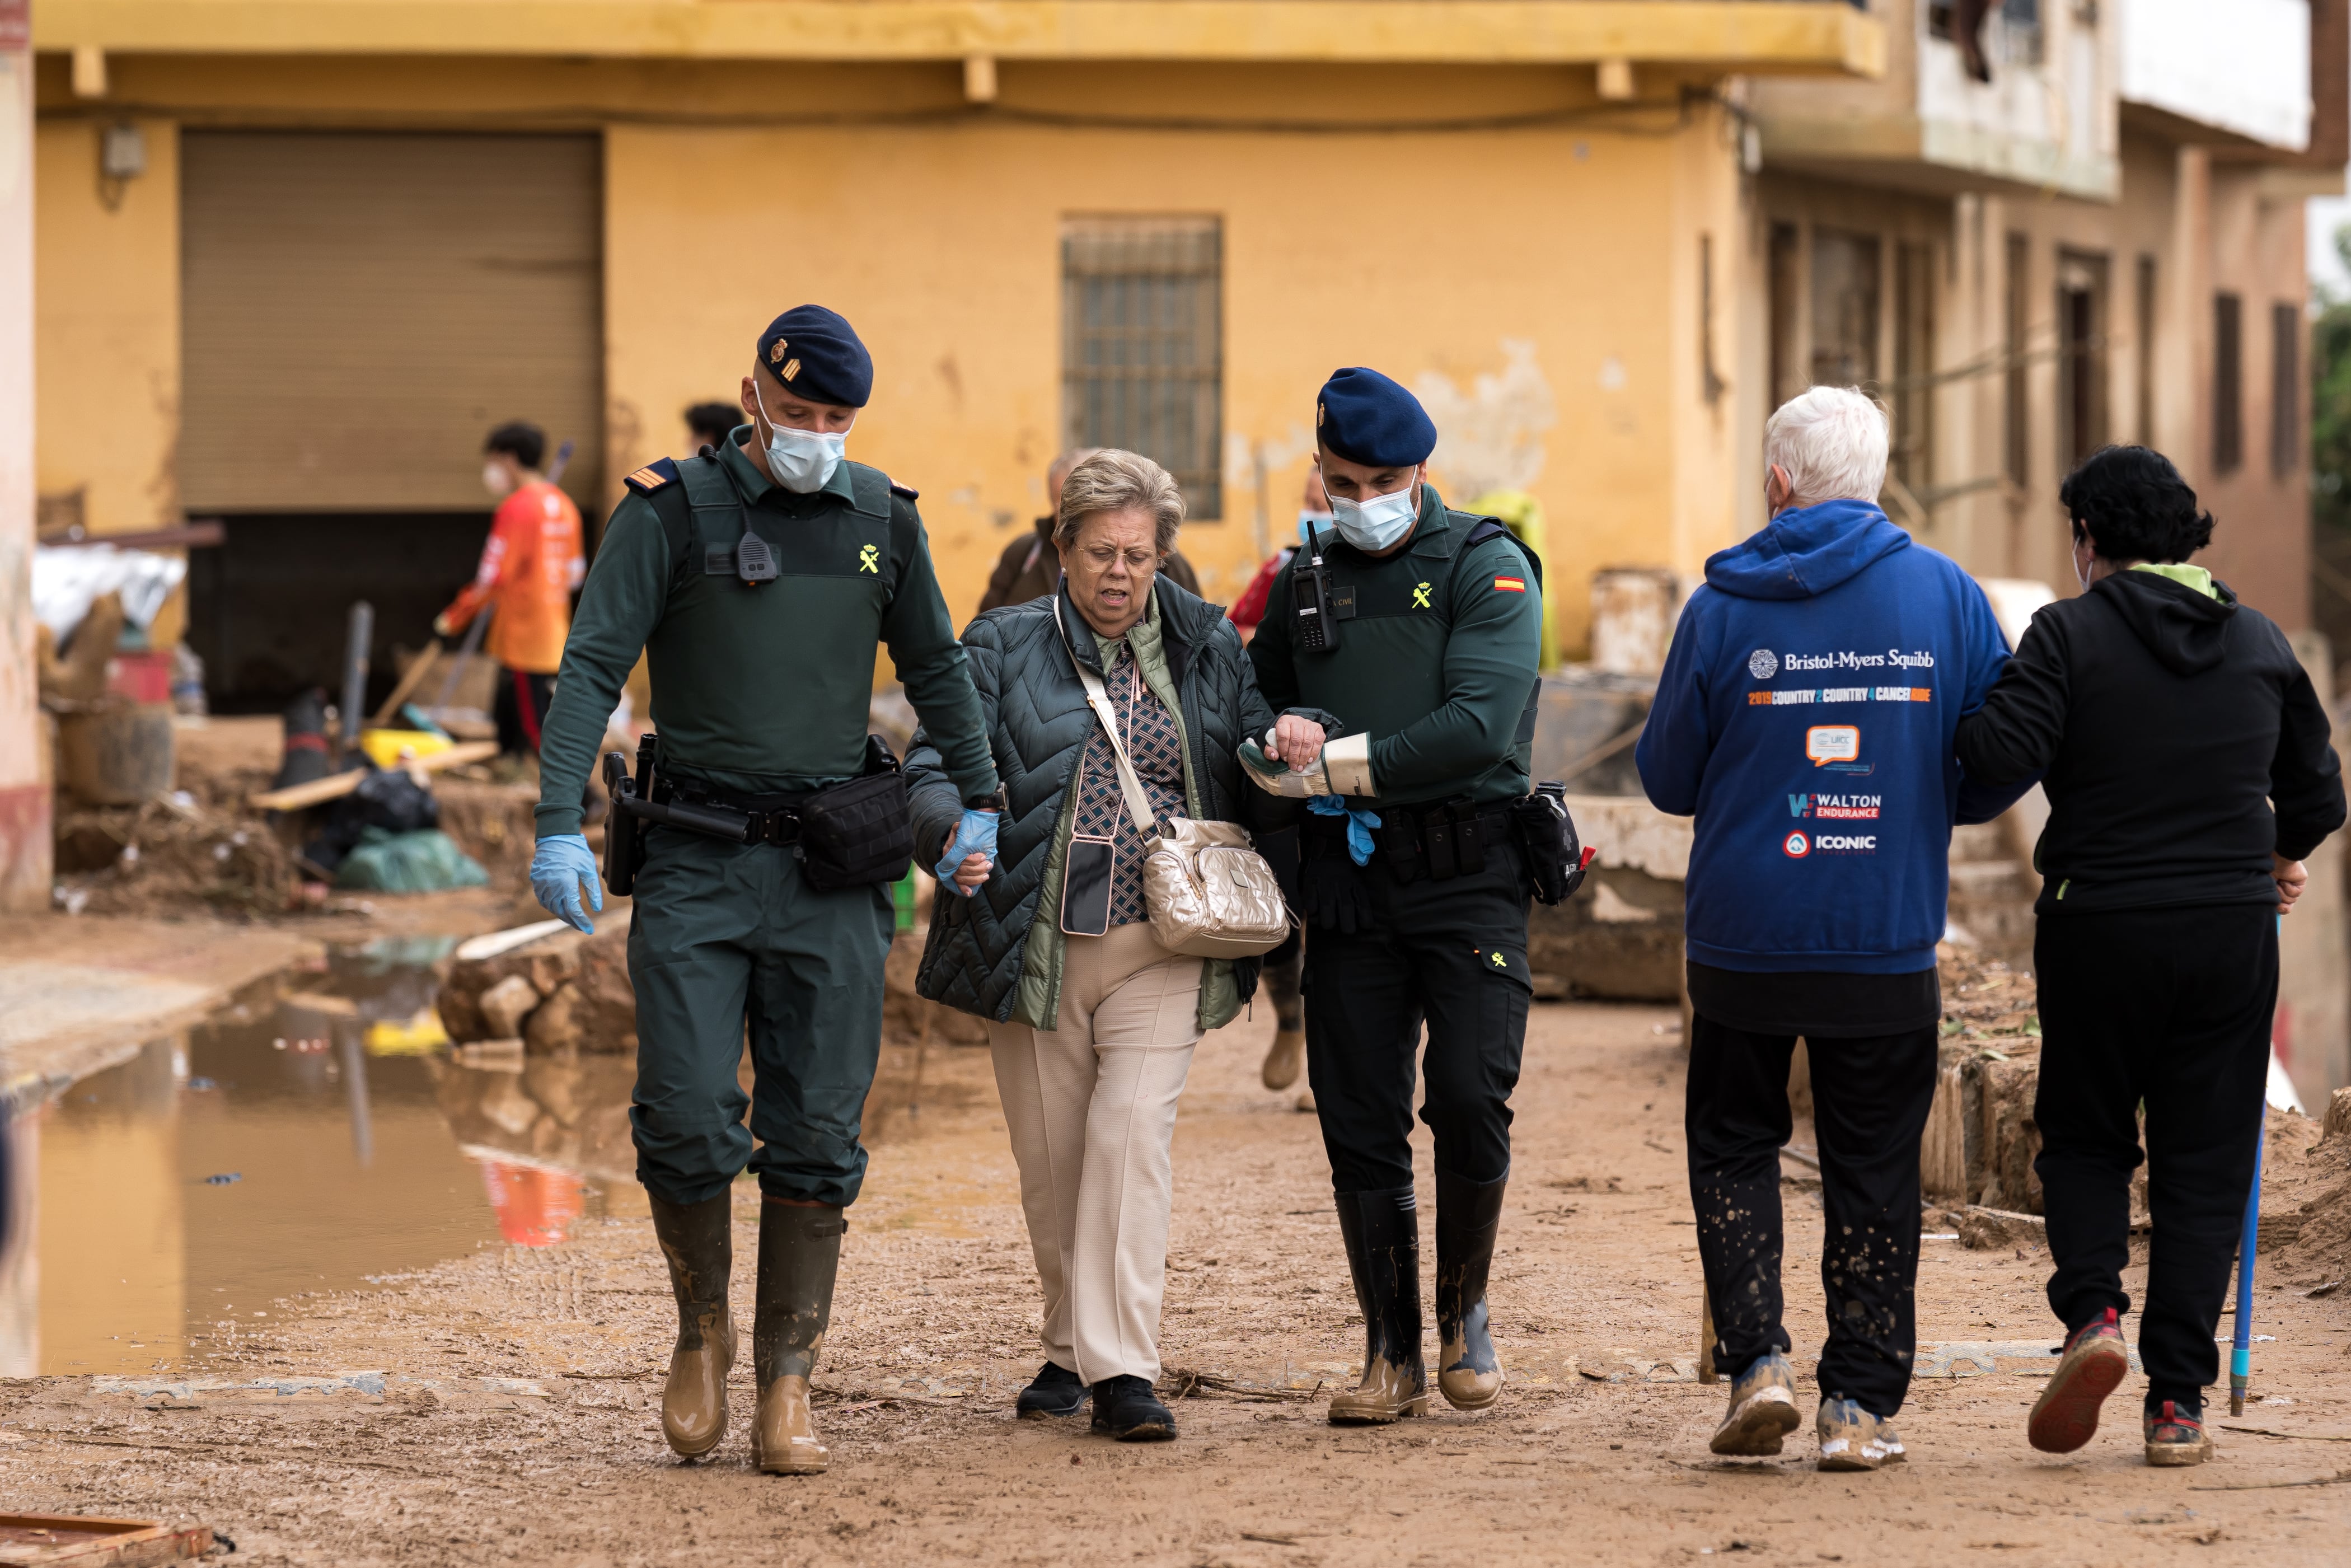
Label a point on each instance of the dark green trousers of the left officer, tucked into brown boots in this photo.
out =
(730, 934)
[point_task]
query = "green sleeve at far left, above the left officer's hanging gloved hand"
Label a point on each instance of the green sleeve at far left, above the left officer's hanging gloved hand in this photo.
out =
(619, 608)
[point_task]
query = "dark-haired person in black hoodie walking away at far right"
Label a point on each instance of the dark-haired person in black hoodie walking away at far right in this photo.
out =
(2188, 768)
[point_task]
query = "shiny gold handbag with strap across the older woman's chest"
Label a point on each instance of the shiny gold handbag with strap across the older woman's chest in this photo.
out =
(1210, 894)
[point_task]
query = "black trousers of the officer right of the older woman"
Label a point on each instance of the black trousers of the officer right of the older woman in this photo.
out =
(1452, 953)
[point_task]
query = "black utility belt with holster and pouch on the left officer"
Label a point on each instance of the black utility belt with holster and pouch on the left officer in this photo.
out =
(855, 833)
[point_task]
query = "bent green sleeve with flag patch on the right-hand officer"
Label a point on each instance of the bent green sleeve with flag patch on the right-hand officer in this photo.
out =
(1492, 662)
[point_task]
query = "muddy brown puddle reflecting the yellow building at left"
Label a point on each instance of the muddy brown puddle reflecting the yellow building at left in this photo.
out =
(312, 1137)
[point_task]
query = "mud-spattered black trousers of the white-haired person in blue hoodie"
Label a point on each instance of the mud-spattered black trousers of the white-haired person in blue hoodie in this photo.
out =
(1870, 1104)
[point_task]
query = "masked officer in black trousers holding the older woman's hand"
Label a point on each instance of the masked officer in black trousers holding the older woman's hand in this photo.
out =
(1414, 638)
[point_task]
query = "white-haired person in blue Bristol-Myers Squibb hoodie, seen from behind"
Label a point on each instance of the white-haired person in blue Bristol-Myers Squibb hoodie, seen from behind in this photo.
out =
(1804, 718)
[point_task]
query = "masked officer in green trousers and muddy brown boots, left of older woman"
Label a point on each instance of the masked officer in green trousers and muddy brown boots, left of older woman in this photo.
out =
(758, 582)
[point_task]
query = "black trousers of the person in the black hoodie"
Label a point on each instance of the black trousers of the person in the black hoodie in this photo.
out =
(2171, 1010)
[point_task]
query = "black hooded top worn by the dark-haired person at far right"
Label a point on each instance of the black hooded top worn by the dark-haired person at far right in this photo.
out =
(2183, 744)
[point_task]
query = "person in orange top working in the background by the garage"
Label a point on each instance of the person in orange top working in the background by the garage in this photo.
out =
(530, 570)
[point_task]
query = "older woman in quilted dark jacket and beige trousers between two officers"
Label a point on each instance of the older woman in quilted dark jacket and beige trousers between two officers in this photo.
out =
(1090, 1019)
